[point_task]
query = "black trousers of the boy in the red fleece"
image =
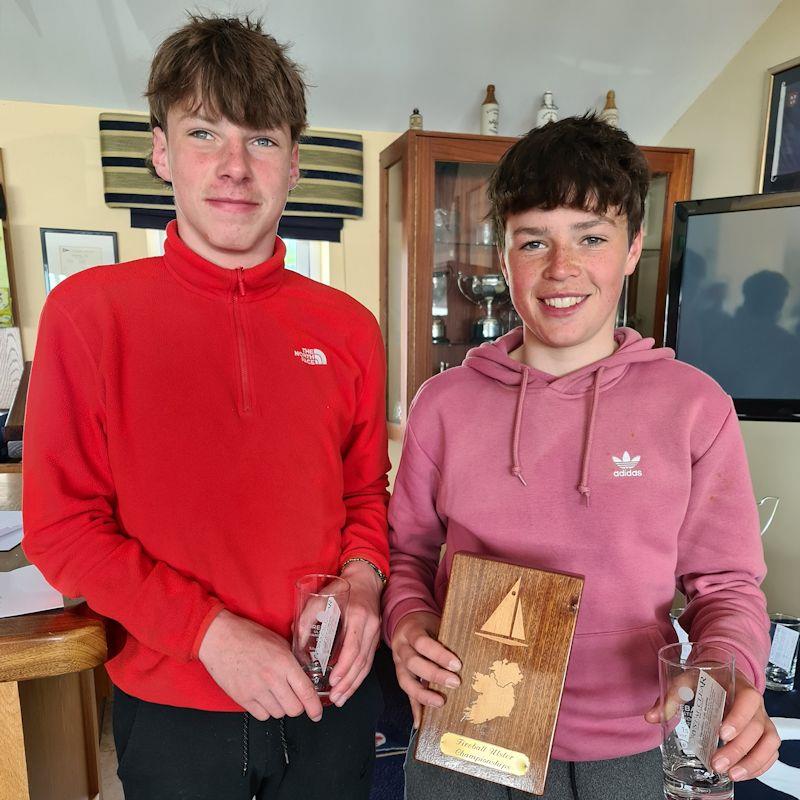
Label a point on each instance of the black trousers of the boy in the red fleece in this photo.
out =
(167, 753)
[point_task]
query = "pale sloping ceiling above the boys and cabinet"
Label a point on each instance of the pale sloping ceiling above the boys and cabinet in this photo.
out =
(370, 62)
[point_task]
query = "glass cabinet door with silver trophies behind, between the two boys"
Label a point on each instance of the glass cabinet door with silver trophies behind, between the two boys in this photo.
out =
(470, 301)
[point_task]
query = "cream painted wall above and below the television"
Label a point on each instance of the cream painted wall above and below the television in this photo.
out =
(725, 126)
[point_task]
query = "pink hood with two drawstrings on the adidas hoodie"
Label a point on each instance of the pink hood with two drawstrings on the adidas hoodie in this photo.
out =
(492, 360)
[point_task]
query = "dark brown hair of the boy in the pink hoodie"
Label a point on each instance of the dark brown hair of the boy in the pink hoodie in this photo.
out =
(577, 162)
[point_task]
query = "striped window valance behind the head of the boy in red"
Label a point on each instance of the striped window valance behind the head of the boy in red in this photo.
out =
(331, 170)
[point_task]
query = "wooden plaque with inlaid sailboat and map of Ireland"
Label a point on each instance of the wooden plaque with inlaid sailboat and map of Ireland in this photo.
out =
(512, 628)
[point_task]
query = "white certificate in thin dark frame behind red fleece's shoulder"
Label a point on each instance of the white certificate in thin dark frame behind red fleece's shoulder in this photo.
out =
(65, 252)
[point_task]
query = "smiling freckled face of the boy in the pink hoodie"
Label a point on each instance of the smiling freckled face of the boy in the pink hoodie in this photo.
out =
(565, 269)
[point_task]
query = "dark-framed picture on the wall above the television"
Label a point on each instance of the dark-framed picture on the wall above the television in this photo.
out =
(780, 165)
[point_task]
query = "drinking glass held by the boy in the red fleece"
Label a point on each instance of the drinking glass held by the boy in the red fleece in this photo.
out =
(320, 602)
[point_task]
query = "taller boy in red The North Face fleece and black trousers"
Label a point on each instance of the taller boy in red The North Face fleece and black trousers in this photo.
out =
(202, 430)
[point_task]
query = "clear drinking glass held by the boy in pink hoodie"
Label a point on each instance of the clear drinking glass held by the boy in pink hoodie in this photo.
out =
(696, 686)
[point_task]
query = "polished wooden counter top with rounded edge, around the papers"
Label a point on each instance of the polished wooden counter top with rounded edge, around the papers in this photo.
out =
(48, 642)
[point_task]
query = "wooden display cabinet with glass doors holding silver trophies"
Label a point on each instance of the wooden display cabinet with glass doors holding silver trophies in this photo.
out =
(442, 290)
